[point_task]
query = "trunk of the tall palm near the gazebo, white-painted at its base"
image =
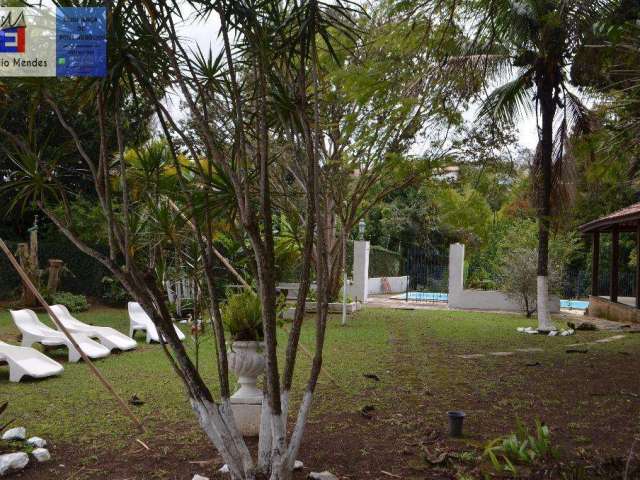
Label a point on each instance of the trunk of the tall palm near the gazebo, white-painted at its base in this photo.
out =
(548, 109)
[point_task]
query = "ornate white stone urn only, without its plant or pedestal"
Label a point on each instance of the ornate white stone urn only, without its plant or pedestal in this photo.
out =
(246, 360)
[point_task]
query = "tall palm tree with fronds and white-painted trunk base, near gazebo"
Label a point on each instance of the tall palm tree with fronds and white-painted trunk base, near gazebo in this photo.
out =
(537, 39)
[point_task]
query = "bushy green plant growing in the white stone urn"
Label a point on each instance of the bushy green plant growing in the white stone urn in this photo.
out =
(242, 316)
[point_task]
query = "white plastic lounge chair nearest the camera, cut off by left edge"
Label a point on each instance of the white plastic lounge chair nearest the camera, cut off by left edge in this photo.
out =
(27, 361)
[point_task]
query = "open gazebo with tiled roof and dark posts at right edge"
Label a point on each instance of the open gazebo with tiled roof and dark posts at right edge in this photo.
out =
(625, 220)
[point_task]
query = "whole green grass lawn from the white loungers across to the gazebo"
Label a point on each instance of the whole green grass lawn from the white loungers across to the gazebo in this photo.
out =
(415, 354)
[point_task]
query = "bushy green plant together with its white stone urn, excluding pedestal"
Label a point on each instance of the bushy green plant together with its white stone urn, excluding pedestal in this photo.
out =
(242, 317)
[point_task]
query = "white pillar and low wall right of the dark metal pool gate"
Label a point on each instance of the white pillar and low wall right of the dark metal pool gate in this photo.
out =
(459, 297)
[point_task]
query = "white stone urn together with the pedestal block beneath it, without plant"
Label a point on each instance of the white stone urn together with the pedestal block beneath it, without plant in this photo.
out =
(246, 360)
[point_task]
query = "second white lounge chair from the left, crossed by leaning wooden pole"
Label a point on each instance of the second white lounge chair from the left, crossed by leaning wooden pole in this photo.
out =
(34, 331)
